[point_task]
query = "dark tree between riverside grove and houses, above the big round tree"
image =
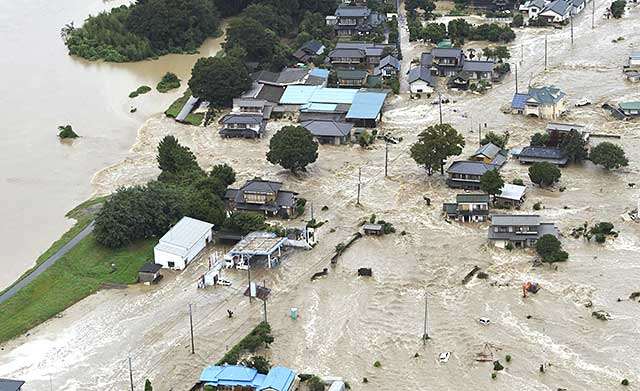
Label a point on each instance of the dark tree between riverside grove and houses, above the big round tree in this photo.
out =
(248, 33)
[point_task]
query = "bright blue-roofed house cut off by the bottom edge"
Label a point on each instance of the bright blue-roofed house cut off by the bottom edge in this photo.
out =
(238, 377)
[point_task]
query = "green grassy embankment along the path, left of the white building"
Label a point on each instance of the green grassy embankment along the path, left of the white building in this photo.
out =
(73, 277)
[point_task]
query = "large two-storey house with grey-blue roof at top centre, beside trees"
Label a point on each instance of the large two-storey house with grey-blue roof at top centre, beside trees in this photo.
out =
(355, 20)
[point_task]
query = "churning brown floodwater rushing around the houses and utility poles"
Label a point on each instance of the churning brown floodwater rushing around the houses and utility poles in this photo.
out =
(347, 322)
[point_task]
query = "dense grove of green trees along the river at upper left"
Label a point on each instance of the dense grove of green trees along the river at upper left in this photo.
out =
(145, 29)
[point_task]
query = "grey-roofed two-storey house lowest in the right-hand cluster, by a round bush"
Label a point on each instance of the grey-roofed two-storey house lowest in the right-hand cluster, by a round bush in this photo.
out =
(518, 230)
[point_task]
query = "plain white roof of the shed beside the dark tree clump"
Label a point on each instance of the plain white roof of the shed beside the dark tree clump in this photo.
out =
(182, 236)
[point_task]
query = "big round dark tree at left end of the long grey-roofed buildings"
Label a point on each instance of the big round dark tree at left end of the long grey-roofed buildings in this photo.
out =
(219, 79)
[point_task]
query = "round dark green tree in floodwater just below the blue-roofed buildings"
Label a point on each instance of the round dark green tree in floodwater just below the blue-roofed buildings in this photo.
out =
(293, 148)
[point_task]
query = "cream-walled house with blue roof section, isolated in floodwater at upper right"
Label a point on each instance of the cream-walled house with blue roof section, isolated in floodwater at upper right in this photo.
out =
(543, 102)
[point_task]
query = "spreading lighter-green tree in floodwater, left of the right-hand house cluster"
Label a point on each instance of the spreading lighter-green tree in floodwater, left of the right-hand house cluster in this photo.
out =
(435, 144)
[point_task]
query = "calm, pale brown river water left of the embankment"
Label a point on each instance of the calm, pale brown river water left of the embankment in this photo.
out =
(42, 178)
